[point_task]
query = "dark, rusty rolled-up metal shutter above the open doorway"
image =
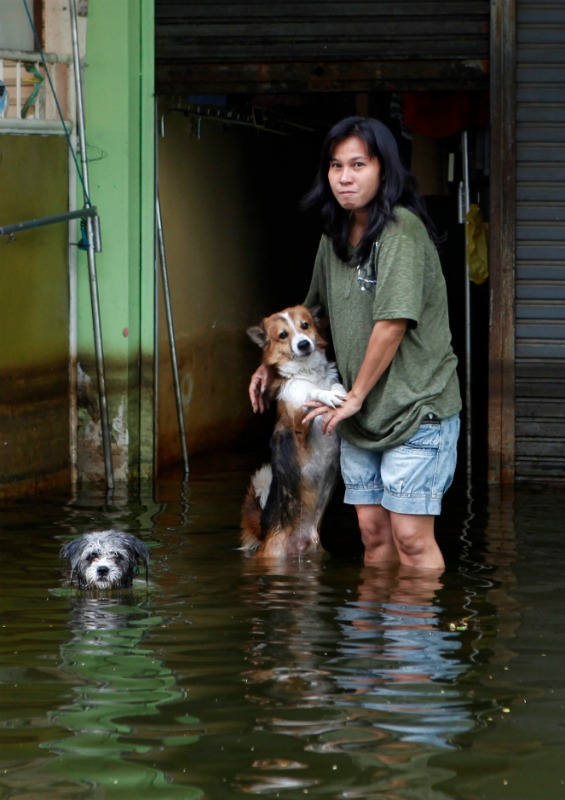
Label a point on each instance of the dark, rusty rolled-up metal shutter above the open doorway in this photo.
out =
(222, 46)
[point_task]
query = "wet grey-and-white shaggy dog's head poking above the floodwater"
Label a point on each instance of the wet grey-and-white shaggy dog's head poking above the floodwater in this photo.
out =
(105, 559)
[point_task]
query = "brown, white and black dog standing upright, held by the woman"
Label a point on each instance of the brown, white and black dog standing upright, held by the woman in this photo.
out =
(286, 499)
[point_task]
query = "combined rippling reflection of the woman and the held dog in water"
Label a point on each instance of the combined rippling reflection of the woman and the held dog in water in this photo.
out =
(367, 676)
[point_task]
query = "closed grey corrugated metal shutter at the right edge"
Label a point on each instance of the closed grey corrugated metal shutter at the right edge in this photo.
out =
(540, 236)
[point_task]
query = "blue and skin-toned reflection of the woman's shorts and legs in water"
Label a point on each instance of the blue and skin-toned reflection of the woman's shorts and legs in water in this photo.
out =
(395, 634)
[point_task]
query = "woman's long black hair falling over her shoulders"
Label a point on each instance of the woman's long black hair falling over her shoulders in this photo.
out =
(397, 187)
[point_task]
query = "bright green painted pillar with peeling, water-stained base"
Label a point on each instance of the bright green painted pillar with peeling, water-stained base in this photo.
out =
(119, 111)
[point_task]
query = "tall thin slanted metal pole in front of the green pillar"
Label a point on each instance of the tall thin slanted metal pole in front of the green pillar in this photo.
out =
(91, 235)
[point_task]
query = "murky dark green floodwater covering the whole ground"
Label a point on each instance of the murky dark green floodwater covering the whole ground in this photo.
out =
(227, 678)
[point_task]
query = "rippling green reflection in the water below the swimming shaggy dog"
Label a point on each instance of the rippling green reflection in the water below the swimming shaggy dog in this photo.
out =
(117, 681)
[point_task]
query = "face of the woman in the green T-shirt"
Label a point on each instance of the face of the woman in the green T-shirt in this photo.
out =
(354, 175)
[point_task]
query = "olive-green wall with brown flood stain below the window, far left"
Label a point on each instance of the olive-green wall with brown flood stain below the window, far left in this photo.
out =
(34, 317)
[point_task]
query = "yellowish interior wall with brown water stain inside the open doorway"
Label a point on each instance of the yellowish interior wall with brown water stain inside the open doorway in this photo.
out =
(217, 264)
